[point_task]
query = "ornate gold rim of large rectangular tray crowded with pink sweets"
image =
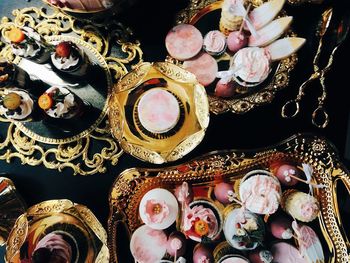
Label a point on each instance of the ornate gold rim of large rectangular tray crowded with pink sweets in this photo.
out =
(316, 151)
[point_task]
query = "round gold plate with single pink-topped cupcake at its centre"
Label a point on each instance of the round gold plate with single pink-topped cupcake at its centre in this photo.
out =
(159, 148)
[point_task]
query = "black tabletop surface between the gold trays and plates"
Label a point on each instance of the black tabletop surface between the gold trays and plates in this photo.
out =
(151, 20)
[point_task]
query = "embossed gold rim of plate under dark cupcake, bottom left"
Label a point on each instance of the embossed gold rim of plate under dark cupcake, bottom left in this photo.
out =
(49, 208)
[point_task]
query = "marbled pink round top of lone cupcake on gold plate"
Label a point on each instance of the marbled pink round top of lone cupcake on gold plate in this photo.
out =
(158, 110)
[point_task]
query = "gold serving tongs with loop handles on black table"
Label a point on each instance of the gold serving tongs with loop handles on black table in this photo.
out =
(320, 117)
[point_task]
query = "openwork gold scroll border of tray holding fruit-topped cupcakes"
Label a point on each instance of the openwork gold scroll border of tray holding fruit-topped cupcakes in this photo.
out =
(74, 153)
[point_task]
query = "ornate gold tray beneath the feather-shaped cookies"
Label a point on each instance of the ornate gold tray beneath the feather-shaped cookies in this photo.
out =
(205, 15)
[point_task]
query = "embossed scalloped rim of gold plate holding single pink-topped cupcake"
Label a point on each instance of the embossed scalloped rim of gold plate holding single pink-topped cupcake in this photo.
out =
(131, 81)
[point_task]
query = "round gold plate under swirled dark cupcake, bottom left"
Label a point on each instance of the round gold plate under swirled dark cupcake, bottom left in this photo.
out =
(59, 216)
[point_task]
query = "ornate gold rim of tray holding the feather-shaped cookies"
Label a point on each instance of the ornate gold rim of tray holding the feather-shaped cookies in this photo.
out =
(190, 15)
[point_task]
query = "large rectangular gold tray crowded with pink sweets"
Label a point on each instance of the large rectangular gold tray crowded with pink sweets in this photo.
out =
(202, 173)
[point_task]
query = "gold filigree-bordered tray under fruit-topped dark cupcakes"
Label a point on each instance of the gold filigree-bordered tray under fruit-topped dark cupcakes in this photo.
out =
(114, 52)
